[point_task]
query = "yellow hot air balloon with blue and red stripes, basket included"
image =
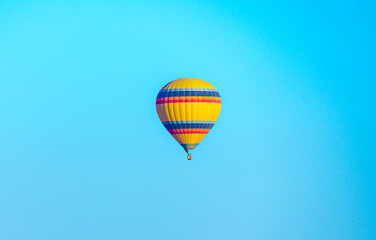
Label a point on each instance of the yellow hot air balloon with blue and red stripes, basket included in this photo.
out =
(188, 108)
